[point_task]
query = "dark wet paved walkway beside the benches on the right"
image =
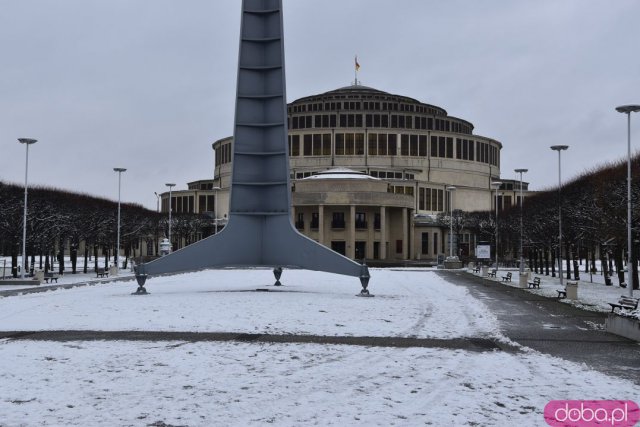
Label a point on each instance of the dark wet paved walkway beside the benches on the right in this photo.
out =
(551, 327)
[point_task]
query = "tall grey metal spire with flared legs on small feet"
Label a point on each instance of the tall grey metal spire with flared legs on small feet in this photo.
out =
(259, 231)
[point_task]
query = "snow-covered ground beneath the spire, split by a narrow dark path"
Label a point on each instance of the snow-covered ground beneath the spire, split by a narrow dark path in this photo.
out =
(235, 383)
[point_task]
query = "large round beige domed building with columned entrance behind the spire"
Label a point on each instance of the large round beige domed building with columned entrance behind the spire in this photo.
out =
(370, 172)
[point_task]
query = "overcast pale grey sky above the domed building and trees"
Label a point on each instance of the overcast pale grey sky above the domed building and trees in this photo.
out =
(149, 84)
